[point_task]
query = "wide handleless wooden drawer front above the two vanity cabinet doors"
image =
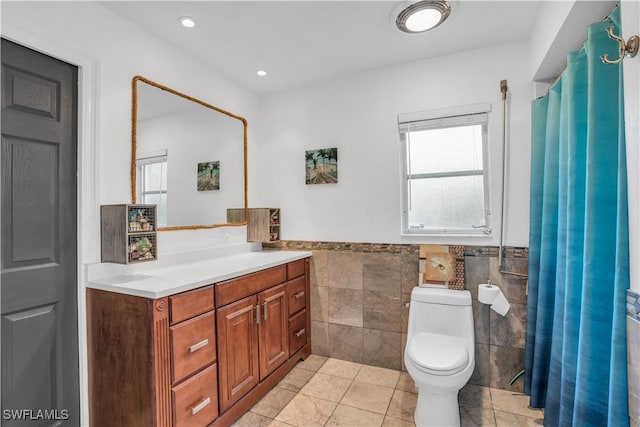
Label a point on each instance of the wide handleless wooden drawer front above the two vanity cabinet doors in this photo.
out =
(242, 287)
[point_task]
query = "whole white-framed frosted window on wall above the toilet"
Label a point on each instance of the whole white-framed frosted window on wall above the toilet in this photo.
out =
(445, 185)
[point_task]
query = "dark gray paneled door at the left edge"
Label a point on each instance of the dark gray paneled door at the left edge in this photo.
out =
(38, 208)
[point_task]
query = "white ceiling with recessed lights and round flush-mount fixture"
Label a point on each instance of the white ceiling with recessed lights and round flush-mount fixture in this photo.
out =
(300, 42)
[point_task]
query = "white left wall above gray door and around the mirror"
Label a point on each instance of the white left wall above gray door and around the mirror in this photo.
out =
(121, 51)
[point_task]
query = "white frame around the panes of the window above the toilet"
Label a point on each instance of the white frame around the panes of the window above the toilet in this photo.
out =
(452, 117)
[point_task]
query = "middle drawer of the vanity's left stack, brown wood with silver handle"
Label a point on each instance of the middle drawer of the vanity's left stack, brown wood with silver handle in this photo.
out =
(193, 345)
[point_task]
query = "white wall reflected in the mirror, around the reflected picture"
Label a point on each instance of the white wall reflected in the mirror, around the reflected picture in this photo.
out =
(191, 137)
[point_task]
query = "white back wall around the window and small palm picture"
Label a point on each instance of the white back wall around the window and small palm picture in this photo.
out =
(358, 114)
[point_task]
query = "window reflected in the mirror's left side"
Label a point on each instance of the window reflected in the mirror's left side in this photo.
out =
(151, 183)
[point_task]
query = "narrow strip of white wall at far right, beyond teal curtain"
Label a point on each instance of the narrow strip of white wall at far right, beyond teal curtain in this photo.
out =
(631, 69)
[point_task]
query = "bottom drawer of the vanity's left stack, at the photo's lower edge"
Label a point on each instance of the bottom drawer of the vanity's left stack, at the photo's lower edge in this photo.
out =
(195, 401)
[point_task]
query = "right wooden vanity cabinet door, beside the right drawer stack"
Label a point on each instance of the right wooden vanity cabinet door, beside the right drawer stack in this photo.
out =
(273, 329)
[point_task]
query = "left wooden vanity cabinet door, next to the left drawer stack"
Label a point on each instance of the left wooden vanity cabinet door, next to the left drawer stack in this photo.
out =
(237, 350)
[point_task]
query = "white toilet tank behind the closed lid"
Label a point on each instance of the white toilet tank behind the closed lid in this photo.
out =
(441, 311)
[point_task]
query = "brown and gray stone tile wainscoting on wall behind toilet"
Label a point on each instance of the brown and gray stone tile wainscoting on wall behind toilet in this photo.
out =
(358, 313)
